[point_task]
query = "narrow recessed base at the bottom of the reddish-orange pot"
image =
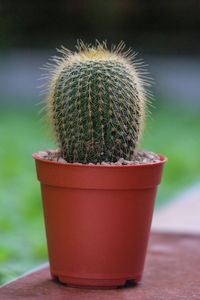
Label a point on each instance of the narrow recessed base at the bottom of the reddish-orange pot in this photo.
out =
(95, 283)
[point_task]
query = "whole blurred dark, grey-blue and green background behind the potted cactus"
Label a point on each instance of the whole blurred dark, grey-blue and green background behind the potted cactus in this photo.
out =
(165, 34)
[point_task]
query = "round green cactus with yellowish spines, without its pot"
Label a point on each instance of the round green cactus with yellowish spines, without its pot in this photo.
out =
(97, 102)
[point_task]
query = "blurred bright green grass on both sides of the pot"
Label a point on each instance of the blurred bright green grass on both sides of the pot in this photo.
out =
(171, 131)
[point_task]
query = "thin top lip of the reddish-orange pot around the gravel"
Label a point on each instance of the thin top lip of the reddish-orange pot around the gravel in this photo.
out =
(162, 161)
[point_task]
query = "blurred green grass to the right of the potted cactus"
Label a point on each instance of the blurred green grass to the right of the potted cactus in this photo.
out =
(174, 131)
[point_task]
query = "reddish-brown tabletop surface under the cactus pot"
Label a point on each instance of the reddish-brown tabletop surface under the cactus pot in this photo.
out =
(172, 271)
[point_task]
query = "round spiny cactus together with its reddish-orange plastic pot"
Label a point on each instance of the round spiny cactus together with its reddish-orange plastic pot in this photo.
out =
(97, 216)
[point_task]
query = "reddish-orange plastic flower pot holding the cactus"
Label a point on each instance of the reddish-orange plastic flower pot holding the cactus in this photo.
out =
(98, 220)
